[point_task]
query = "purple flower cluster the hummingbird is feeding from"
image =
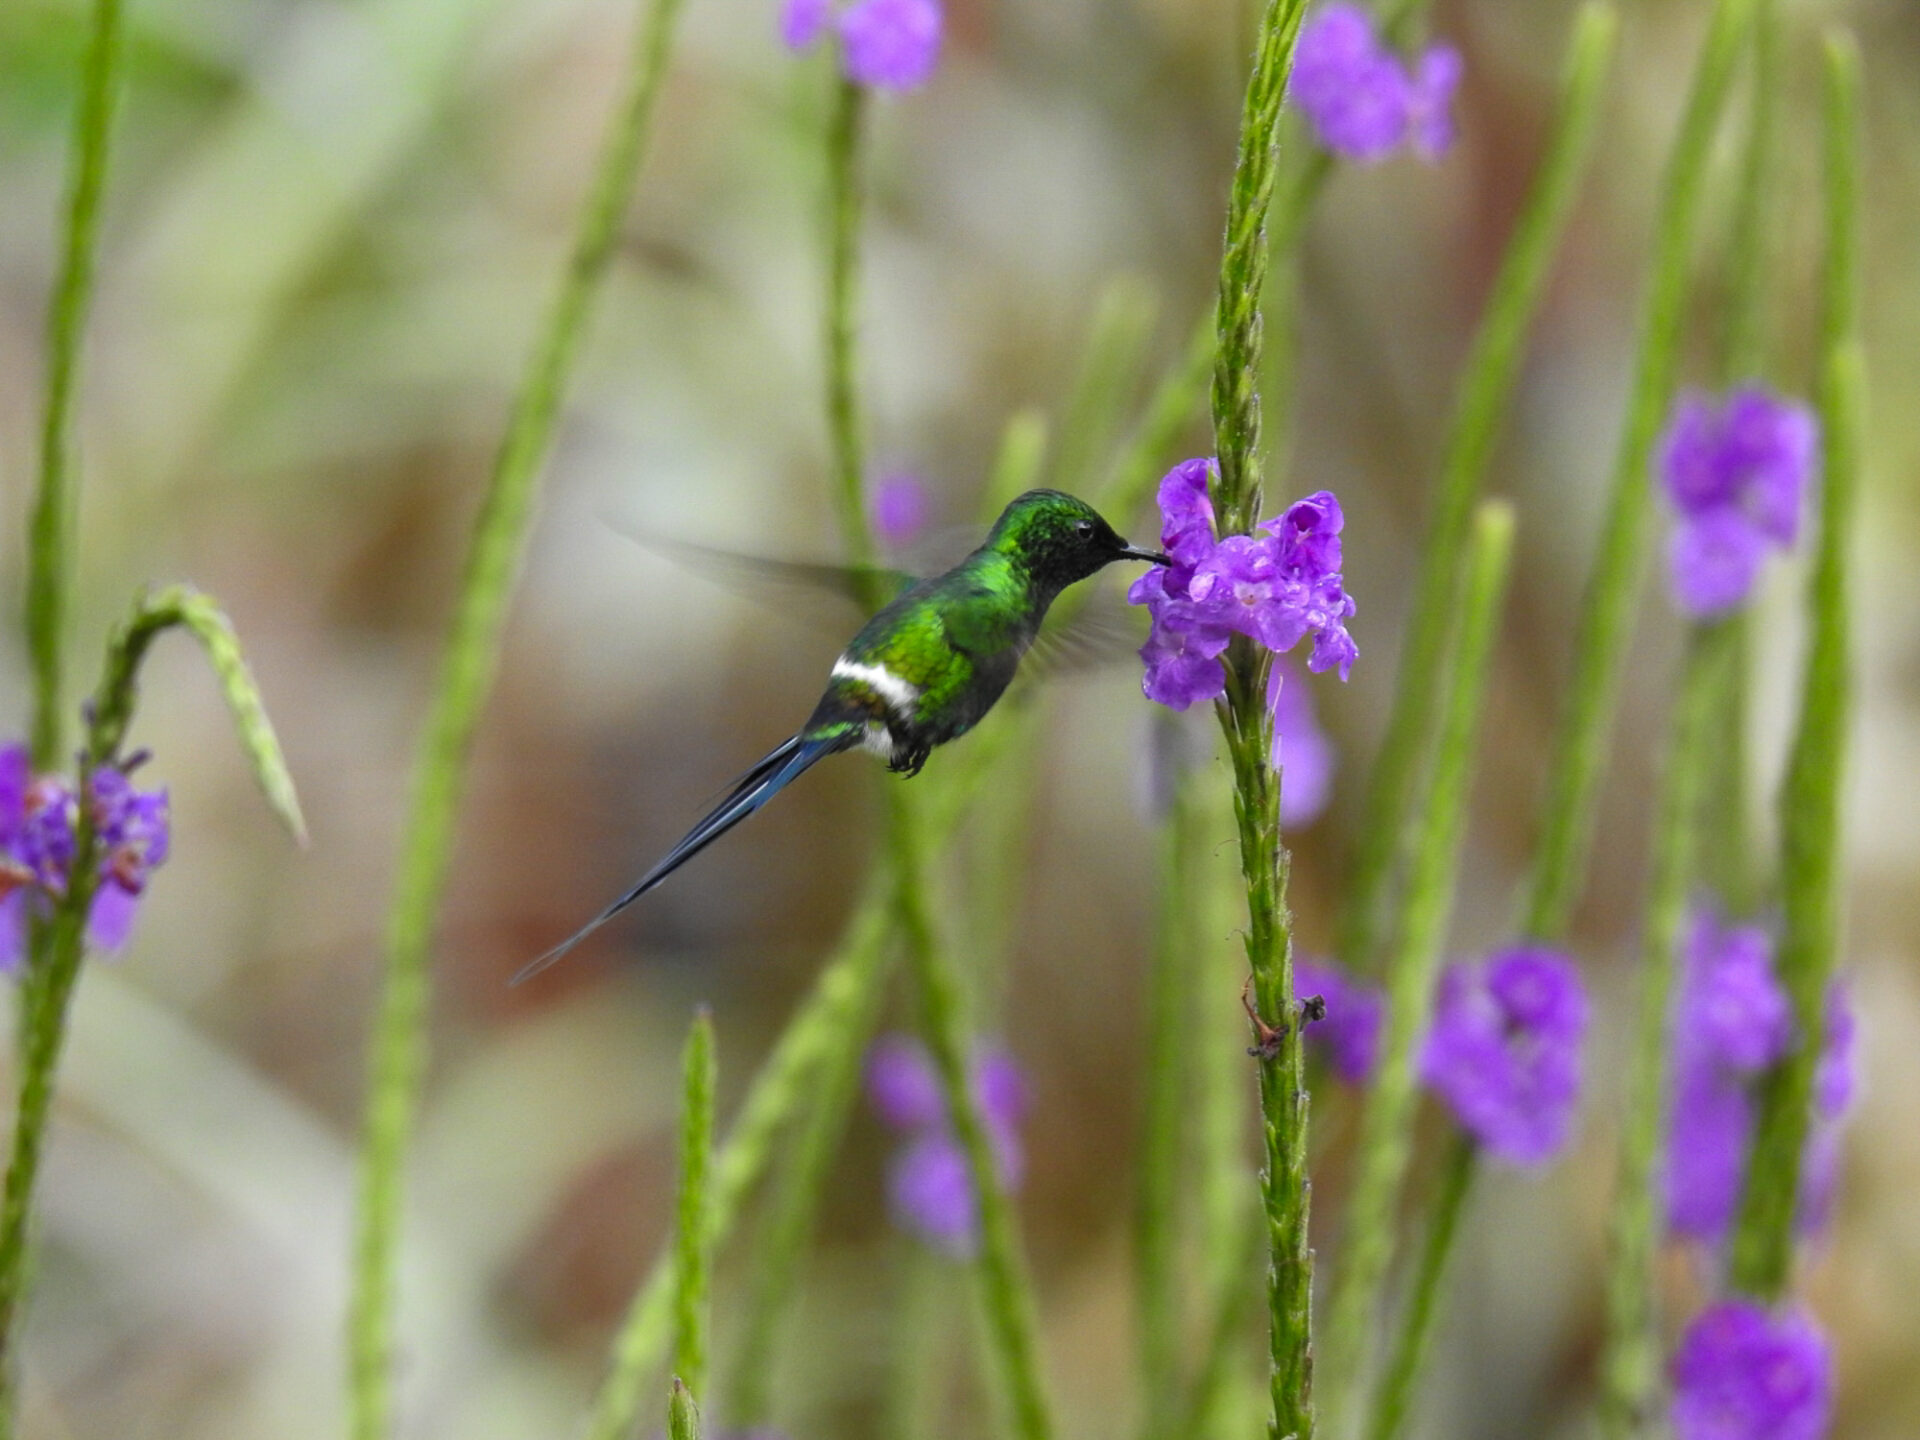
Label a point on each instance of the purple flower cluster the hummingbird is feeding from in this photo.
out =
(1278, 588)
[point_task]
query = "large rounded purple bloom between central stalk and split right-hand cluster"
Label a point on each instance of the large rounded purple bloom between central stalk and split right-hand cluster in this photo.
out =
(1504, 1051)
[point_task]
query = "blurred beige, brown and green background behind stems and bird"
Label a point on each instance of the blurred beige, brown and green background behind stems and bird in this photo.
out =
(331, 228)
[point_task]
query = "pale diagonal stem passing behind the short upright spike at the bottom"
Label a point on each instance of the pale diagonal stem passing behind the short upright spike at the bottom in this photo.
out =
(827, 1026)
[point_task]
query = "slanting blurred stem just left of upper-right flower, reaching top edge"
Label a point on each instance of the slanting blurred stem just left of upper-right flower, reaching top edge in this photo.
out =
(1614, 587)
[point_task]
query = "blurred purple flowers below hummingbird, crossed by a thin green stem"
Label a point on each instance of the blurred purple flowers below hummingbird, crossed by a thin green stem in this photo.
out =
(928, 1182)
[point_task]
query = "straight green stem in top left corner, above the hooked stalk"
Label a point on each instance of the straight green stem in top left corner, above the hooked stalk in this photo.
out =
(51, 529)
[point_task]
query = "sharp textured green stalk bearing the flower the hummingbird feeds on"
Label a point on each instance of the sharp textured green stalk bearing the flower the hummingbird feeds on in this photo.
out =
(1249, 729)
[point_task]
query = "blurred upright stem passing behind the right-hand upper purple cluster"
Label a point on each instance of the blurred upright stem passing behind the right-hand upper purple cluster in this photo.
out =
(1727, 859)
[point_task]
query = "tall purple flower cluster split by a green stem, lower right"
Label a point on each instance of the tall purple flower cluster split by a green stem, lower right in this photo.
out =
(1735, 1022)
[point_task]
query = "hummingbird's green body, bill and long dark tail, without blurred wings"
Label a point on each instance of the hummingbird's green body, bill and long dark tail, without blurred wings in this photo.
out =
(924, 671)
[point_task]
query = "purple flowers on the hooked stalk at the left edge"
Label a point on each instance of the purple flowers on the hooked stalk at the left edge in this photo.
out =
(39, 819)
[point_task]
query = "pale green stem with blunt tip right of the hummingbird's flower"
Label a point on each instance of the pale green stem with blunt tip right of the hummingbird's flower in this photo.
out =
(1387, 1124)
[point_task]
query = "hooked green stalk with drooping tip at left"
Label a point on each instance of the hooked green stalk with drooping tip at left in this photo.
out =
(45, 1026)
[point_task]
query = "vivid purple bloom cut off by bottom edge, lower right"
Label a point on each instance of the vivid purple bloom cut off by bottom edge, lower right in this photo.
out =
(1744, 1374)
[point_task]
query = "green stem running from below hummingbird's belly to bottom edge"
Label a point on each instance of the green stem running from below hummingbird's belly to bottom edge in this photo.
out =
(1007, 1289)
